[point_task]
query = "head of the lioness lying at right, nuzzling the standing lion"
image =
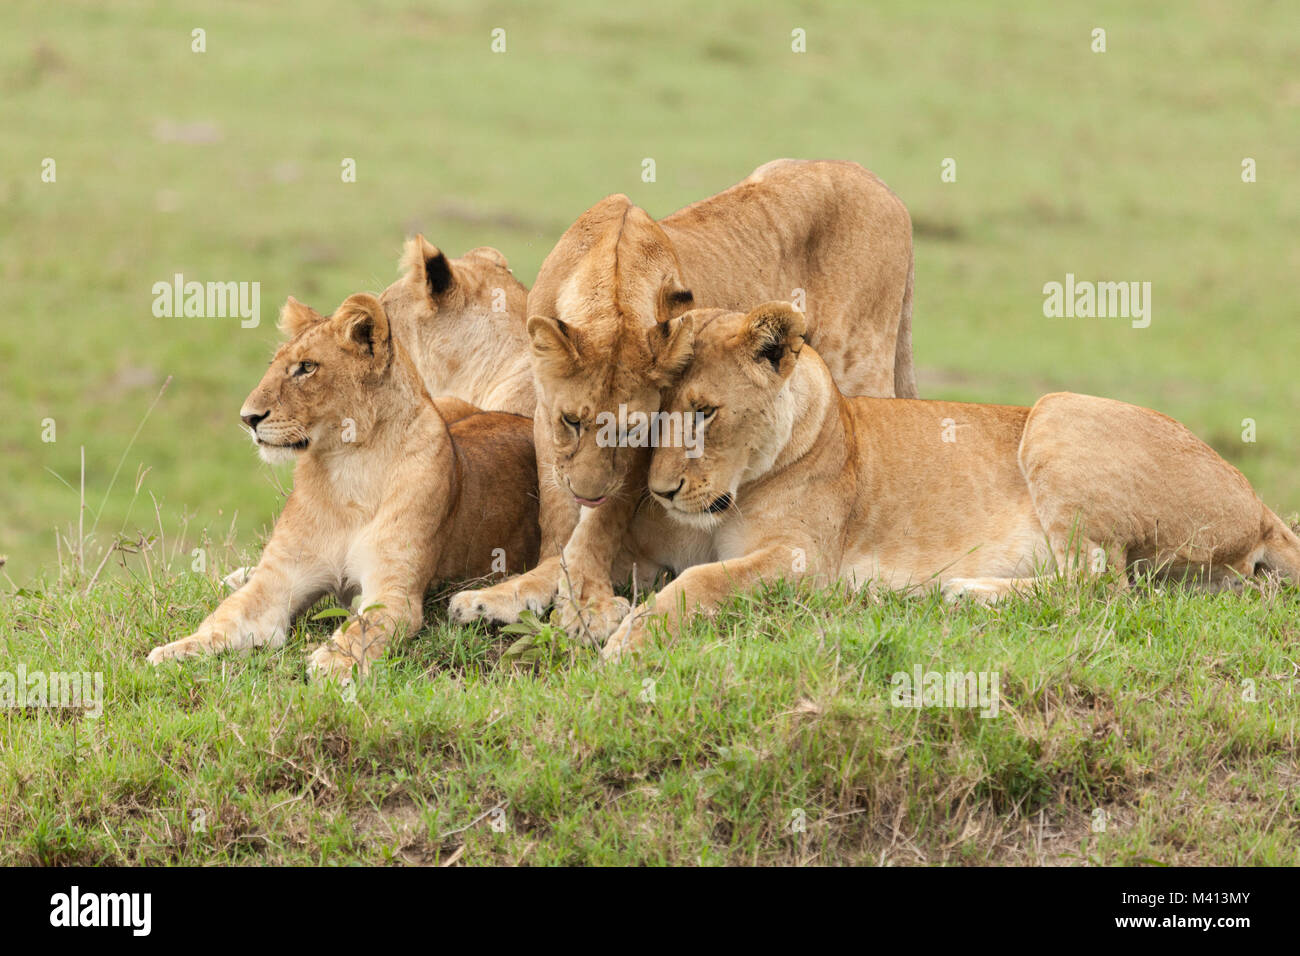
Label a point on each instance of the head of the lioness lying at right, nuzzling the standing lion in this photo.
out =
(735, 393)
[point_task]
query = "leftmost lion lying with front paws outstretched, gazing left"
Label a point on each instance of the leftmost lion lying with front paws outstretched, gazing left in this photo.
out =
(392, 491)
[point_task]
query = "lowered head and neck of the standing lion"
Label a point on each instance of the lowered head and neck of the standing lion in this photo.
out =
(613, 336)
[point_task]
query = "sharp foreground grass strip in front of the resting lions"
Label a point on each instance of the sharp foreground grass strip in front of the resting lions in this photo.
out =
(1175, 716)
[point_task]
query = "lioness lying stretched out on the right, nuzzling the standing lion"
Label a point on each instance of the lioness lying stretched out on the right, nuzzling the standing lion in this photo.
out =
(798, 481)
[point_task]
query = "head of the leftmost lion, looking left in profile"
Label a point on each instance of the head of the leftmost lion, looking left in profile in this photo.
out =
(324, 387)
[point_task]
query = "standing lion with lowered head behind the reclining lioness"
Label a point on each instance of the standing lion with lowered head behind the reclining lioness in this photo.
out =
(609, 334)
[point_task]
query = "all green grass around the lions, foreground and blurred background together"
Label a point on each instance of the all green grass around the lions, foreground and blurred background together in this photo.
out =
(226, 166)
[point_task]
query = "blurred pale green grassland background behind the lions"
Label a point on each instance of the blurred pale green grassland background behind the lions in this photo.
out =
(226, 166)
